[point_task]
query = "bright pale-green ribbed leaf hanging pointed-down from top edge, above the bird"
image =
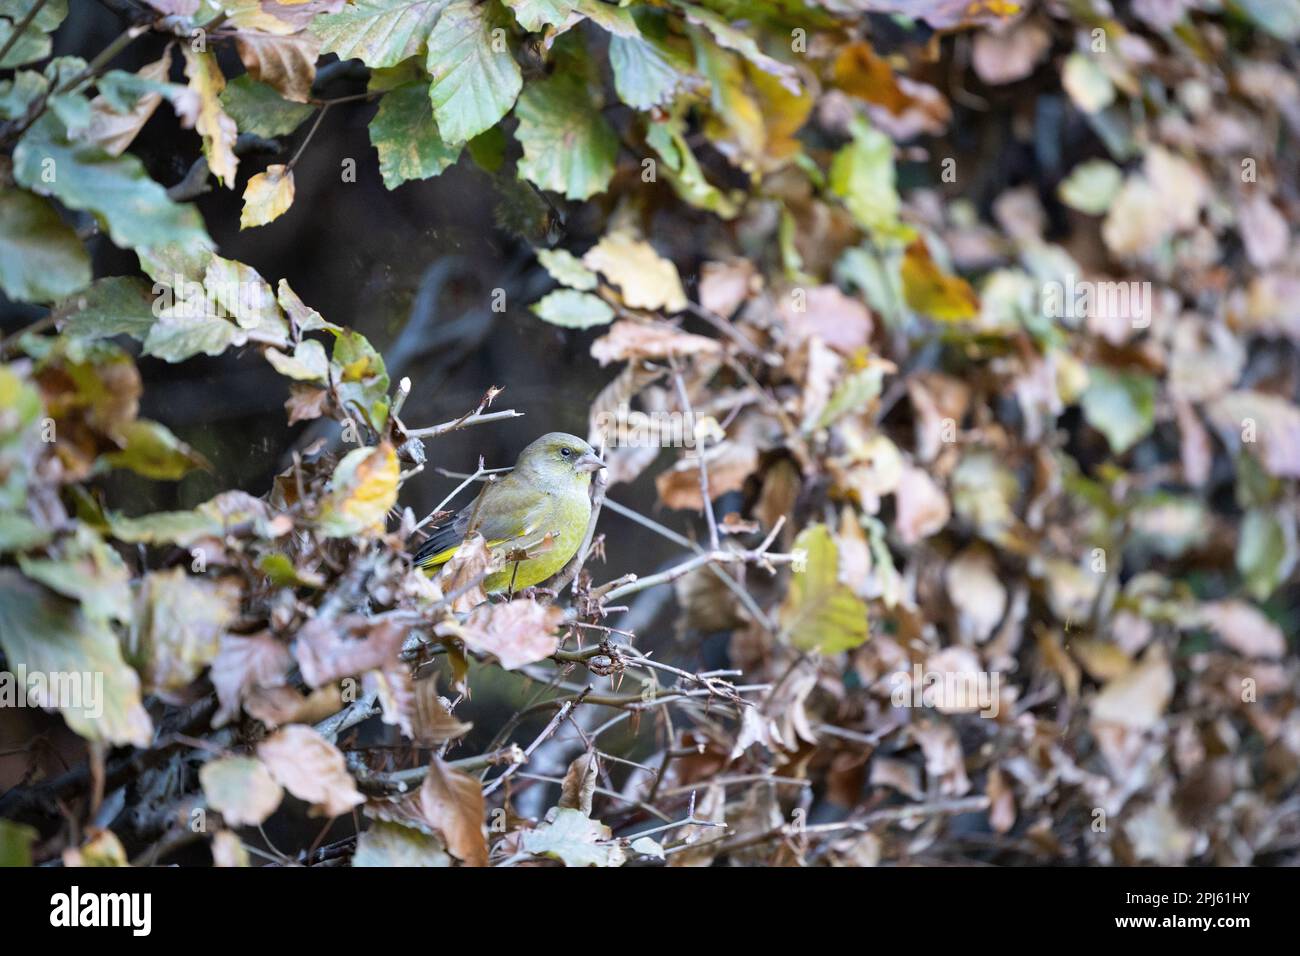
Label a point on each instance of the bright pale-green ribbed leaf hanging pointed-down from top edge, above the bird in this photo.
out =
(475, 76)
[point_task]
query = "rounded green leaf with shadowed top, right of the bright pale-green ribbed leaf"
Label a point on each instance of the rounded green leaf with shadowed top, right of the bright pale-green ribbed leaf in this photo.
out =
(569, 148)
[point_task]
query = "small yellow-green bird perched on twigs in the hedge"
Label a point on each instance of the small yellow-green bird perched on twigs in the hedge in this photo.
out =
(547, 495)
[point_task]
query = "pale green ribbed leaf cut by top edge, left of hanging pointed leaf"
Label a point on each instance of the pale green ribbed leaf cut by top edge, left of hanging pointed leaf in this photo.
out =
(379, 33)
